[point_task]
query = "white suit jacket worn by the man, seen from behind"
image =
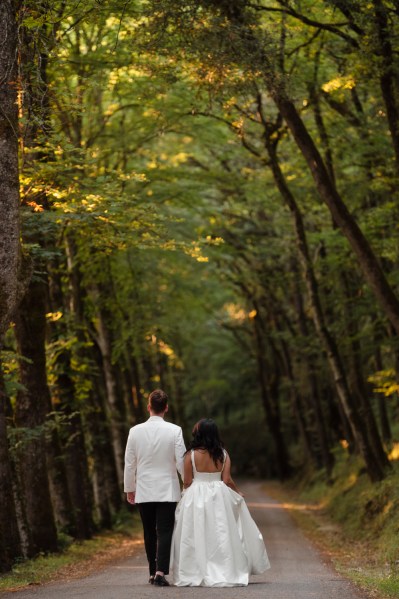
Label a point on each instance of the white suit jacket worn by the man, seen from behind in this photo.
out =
(154, 453)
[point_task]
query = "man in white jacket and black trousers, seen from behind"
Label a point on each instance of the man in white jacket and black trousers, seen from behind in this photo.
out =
(154, 451)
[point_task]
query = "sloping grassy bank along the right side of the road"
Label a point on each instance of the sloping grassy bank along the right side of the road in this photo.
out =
(354, 522)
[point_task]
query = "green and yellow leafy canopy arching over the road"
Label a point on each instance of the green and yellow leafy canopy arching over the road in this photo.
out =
(150, 203)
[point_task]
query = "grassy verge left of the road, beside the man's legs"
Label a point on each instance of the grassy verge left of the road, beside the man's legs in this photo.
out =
(77, 558)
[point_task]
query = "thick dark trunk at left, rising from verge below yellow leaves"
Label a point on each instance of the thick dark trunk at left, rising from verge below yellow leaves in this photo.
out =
(30, 413)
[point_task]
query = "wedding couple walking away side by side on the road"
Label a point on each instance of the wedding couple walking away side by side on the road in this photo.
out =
(210, 539)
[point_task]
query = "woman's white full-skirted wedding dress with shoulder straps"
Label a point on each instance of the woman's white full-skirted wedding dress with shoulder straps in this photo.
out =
(215, 541)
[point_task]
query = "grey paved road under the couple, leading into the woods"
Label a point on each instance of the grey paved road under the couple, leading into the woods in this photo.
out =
(297, 569)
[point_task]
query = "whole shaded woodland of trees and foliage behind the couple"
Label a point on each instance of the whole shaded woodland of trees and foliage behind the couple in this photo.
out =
(199, 196)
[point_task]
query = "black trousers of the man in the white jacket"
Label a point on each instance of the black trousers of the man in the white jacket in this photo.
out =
(158, 518)
